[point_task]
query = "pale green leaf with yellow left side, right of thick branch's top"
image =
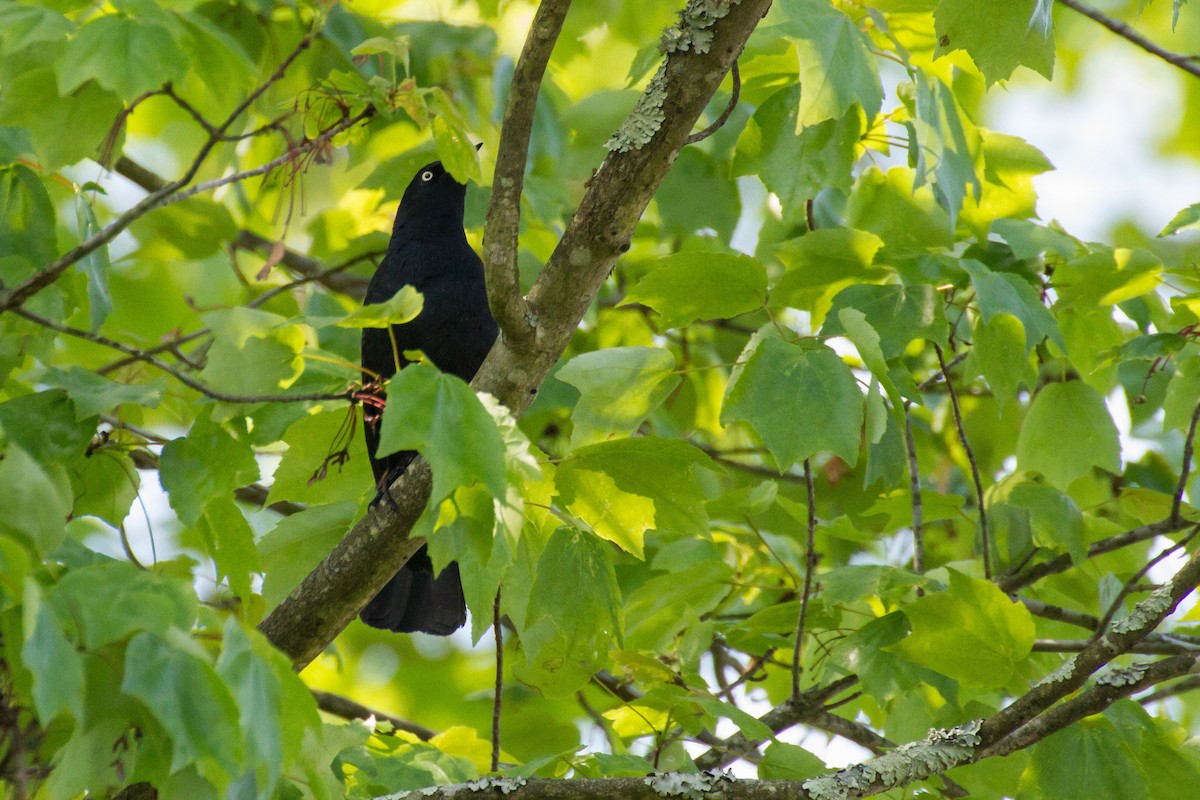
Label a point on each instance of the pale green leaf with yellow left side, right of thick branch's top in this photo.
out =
(837, 67)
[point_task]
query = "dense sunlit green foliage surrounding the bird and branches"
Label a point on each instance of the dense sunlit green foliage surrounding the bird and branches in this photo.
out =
(784, 303)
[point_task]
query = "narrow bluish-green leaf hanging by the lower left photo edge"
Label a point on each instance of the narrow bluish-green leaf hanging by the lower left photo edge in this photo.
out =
(53, 661)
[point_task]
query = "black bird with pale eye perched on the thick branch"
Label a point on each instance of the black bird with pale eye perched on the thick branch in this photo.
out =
(429, 251)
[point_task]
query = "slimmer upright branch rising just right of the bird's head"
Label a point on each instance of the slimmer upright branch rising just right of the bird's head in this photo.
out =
(505, 212)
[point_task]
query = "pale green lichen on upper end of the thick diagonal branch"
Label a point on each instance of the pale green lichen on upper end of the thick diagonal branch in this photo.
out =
(693, 32)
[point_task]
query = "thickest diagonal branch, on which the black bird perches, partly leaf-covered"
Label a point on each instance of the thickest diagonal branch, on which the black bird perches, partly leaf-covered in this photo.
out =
(598, 234)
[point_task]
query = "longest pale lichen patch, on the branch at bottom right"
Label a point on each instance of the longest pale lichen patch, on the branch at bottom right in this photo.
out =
(916, 761)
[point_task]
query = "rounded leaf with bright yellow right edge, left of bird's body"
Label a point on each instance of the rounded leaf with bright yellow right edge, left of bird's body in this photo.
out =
(254, 352)
